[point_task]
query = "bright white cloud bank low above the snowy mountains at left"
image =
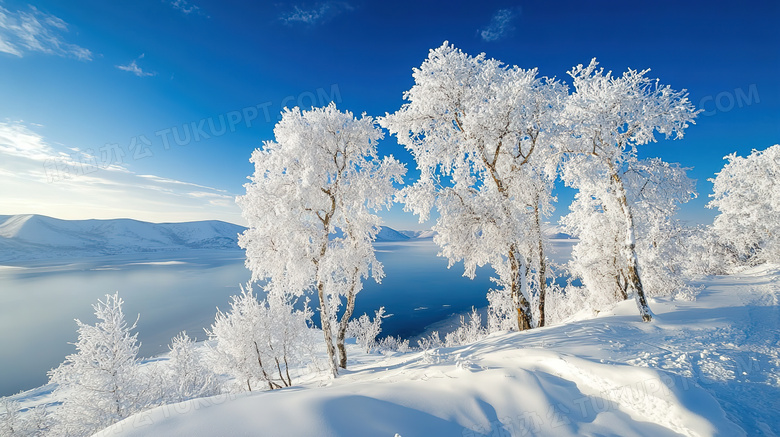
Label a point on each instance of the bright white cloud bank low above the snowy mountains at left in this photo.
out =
(43, 177)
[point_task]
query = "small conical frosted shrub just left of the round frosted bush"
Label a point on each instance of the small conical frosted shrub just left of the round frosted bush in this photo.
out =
(189, 376)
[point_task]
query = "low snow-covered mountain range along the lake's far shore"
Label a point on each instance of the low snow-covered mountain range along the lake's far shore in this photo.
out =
(30, 236)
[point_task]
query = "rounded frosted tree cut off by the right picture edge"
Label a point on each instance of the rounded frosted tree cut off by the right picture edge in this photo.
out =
(745, 192)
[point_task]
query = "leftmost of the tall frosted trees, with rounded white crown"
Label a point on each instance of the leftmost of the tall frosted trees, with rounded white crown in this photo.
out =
(311, 207)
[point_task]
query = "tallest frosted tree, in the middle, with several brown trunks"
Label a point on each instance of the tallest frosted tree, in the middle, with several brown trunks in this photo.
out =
(482, 136)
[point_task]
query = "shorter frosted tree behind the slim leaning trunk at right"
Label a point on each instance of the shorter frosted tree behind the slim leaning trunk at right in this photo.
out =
(654, 189)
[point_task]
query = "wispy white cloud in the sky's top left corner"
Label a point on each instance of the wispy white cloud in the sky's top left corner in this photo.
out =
(35, 31)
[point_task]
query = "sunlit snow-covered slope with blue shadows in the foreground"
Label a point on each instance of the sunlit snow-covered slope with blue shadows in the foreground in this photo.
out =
(708, 367)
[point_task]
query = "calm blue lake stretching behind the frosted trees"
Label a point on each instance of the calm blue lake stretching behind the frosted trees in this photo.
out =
(174, 292)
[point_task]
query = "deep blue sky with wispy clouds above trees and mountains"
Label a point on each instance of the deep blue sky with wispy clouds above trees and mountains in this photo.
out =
(149, 109)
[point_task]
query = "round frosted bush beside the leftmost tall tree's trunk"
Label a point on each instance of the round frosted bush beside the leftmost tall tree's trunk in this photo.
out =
(260, 341)
